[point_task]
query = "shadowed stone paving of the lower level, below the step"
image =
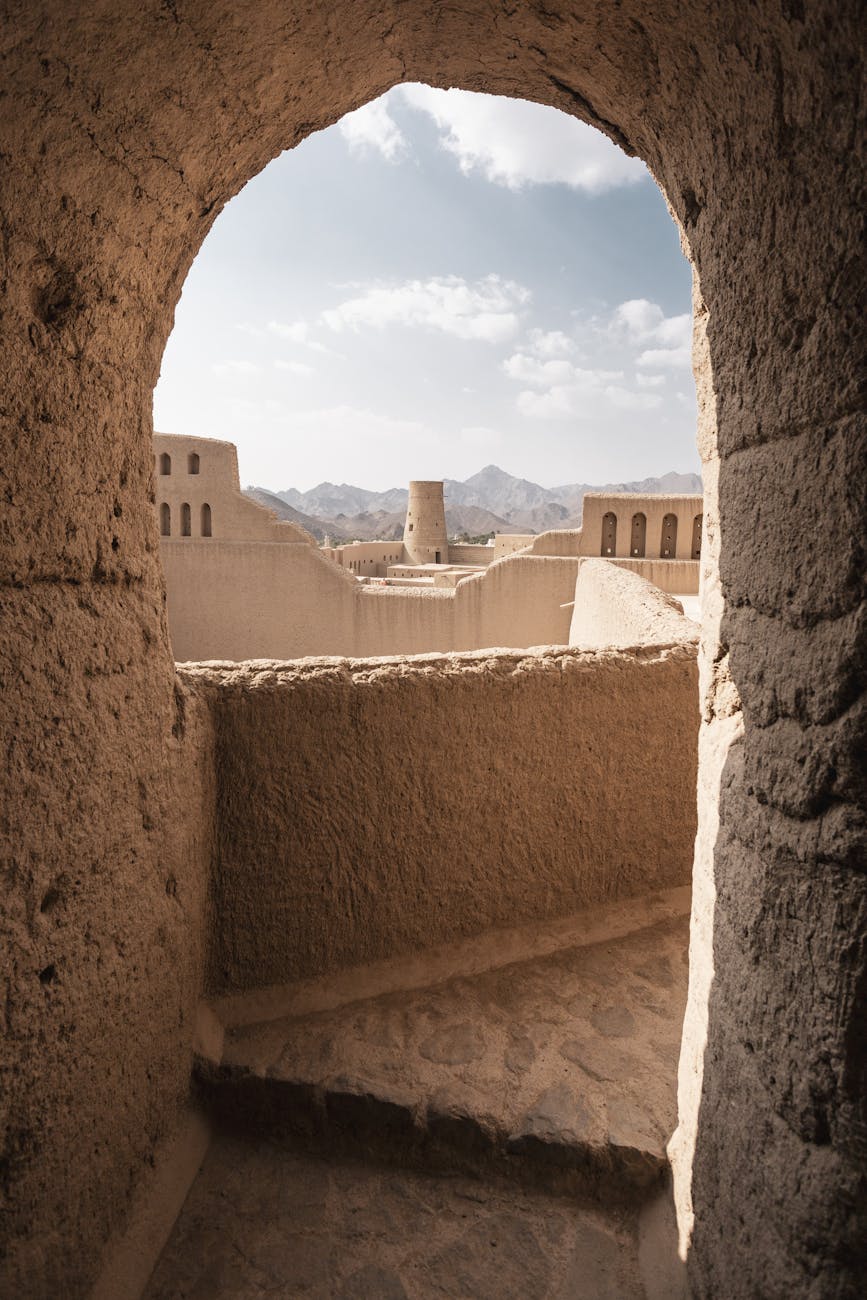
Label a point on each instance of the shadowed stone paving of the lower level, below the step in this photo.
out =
(262, 1221)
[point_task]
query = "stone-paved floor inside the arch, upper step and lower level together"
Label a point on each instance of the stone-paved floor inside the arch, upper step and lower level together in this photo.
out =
(500, 1133)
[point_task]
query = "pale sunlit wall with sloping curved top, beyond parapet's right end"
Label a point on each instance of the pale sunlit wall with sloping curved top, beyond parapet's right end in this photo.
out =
(615, 608)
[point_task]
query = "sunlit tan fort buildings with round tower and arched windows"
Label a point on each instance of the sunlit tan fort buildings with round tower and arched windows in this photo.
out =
(242, 584)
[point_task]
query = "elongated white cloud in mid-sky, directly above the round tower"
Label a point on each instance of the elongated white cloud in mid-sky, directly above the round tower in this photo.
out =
(487, 311)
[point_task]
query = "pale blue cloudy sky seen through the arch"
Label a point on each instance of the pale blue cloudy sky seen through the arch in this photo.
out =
(439, 283)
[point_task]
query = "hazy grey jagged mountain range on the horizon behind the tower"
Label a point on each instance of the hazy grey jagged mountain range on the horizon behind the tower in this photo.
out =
(492, 501)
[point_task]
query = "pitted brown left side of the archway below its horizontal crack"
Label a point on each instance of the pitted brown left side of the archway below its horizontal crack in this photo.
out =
(110, 855)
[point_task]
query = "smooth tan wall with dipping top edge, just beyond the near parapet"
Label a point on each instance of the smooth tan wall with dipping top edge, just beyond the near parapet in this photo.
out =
(259, 601)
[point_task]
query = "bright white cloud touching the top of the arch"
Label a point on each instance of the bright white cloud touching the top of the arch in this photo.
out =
(514, 142)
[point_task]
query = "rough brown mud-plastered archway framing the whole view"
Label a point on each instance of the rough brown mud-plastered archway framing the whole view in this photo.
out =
(125, 132)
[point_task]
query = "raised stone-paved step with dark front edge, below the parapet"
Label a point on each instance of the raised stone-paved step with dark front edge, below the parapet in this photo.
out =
(423, 1076)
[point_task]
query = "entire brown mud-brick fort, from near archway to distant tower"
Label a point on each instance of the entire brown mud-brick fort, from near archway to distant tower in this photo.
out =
(489, 937)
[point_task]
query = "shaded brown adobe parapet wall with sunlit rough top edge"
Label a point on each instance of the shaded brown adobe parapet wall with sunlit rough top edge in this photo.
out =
(374, 809)
